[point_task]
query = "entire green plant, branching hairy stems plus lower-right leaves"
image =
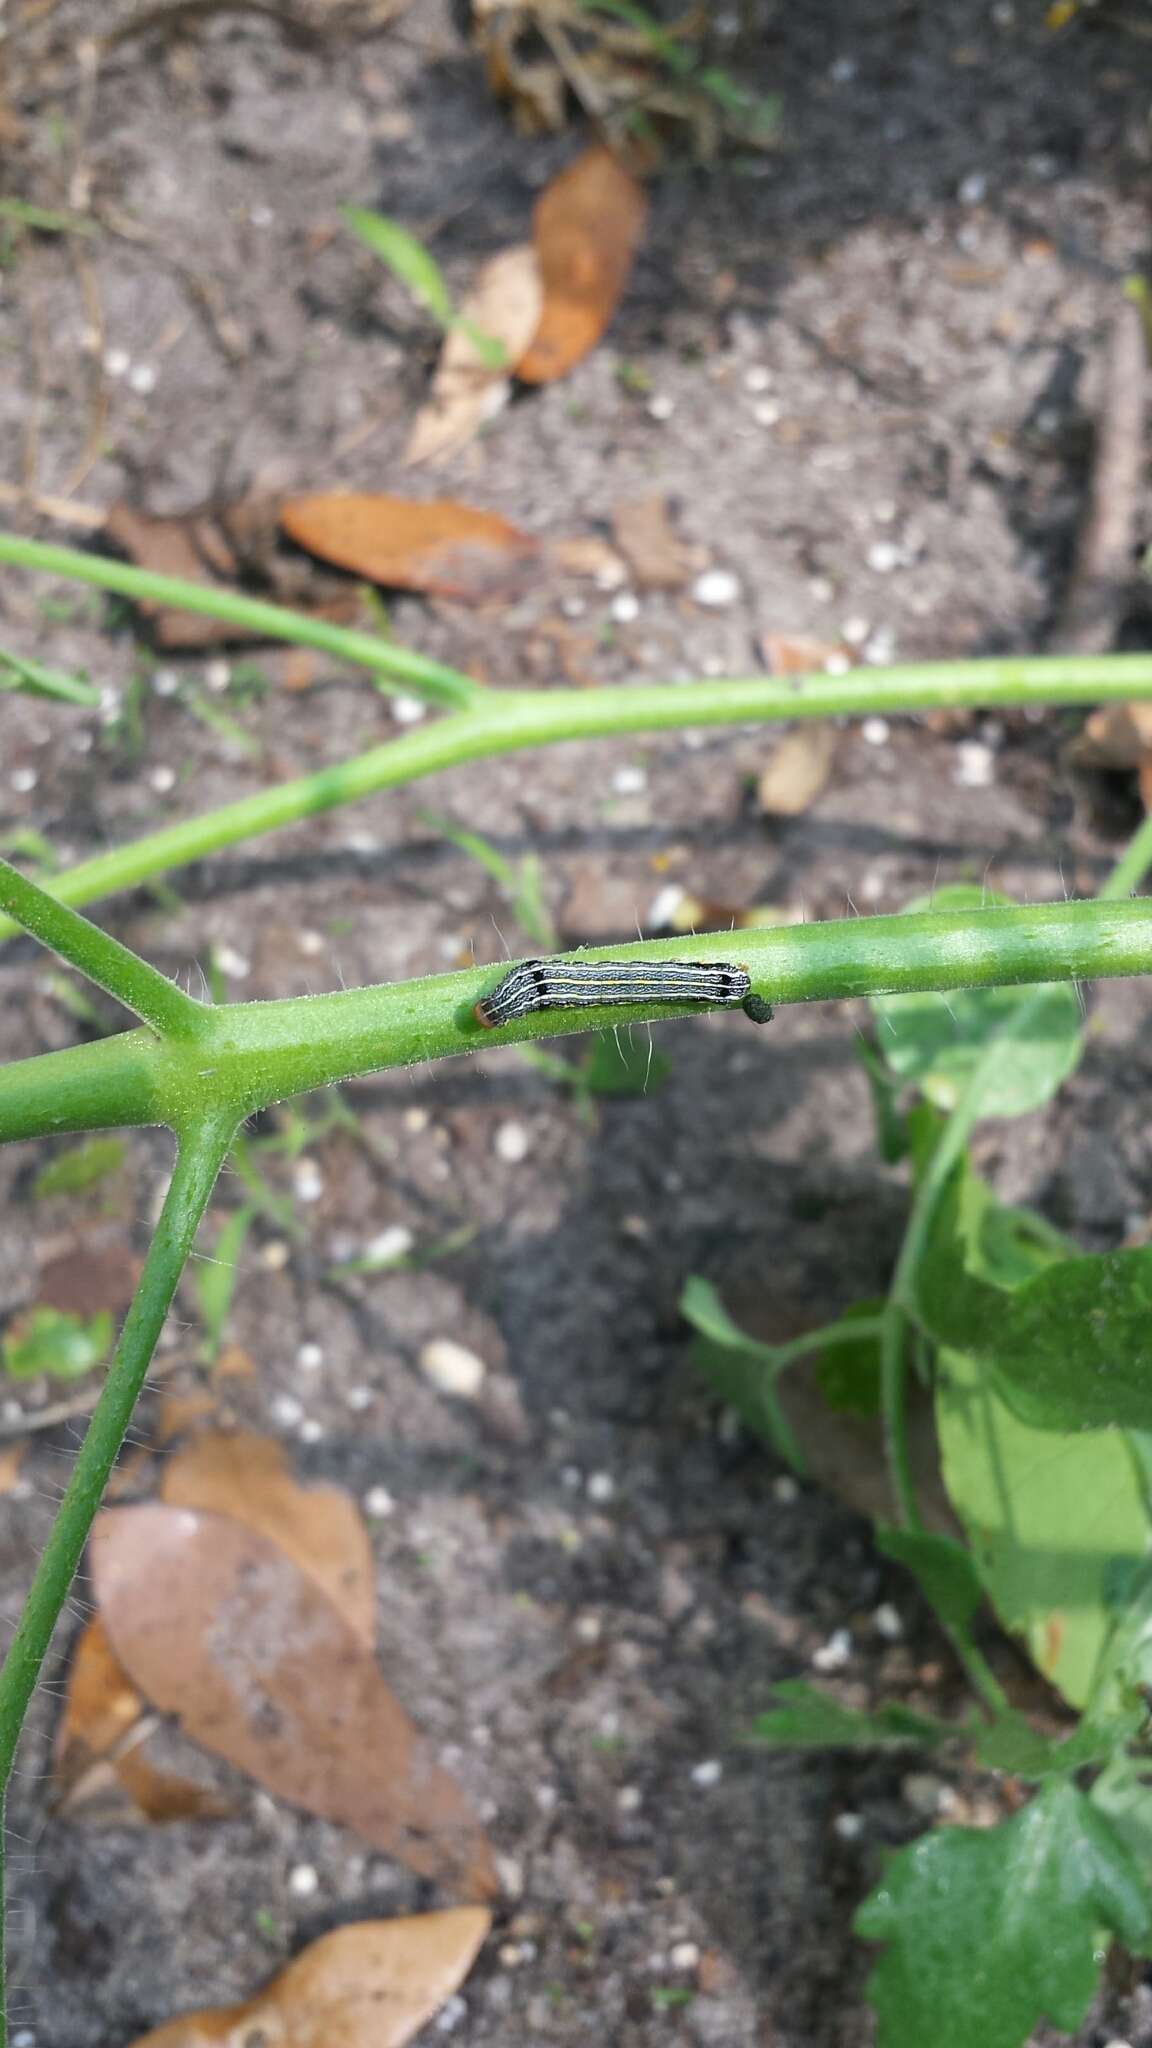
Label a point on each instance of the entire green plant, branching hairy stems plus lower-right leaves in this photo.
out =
(1022, 1336)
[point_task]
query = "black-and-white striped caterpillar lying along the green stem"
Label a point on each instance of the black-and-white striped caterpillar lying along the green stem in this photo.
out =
(536, 986)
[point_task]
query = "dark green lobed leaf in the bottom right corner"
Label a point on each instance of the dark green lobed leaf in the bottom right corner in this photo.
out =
(993, 1930)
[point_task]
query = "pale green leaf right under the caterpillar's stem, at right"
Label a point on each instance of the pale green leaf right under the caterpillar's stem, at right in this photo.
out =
(938, 1041)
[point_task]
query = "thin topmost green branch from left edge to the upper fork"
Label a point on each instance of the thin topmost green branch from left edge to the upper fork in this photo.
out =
(253, 615)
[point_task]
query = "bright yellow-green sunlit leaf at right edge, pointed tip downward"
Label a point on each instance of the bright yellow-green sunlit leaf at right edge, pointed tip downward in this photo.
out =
(1059, 1525)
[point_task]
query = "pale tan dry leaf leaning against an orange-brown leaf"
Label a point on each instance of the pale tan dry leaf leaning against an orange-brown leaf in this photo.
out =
(505, 304)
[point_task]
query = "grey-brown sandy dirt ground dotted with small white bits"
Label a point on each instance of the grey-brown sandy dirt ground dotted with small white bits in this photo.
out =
(868, 364)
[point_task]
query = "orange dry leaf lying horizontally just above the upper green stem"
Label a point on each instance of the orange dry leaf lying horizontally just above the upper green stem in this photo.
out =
(440, 546)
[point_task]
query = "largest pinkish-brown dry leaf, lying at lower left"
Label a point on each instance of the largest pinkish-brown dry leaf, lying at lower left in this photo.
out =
(220, 1629)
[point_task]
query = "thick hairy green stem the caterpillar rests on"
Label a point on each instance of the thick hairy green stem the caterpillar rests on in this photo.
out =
(259, 1054)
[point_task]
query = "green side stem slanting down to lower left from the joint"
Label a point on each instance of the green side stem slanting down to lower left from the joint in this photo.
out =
(200, 1158)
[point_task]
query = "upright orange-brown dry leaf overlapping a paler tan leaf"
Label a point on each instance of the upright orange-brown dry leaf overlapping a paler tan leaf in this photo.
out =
(587, 230)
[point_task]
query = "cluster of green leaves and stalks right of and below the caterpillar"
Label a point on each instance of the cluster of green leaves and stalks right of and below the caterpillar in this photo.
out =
(1038, 1365)
